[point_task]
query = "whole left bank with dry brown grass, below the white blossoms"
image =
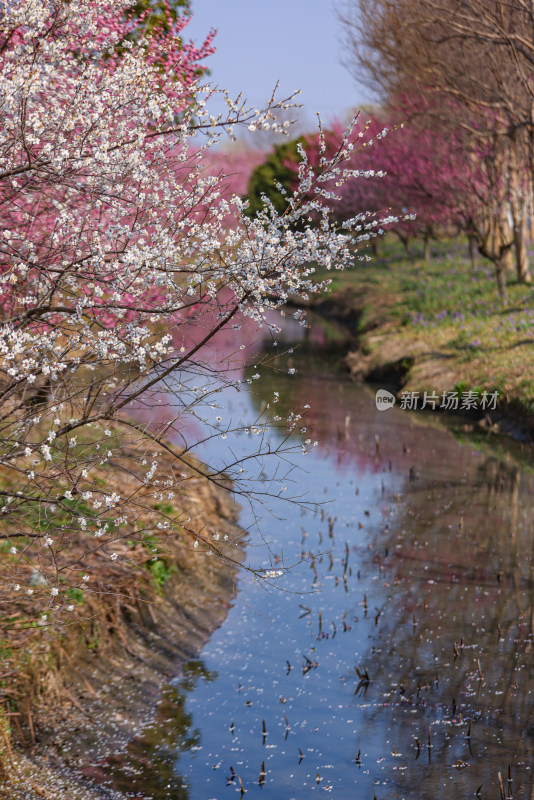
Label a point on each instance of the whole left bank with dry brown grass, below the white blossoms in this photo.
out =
(72, 693)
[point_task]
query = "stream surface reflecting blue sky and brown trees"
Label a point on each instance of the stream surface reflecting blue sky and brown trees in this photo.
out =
(396, 657)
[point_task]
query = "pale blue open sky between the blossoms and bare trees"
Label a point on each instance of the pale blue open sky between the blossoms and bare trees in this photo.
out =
(297, 42)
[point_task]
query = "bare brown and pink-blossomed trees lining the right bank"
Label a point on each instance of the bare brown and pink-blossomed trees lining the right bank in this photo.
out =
(456, 94)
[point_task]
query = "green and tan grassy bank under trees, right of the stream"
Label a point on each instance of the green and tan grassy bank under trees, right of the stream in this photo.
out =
(439, 326)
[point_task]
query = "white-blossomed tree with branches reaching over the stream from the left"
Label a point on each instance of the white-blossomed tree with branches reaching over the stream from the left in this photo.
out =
(112, 241)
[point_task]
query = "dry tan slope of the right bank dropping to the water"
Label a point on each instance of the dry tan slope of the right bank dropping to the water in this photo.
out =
(404, 358)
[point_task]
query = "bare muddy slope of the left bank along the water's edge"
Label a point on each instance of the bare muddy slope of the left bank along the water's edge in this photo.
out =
(105, 678)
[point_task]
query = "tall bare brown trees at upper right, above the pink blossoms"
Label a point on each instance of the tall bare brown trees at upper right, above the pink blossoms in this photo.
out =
(461, 73)
